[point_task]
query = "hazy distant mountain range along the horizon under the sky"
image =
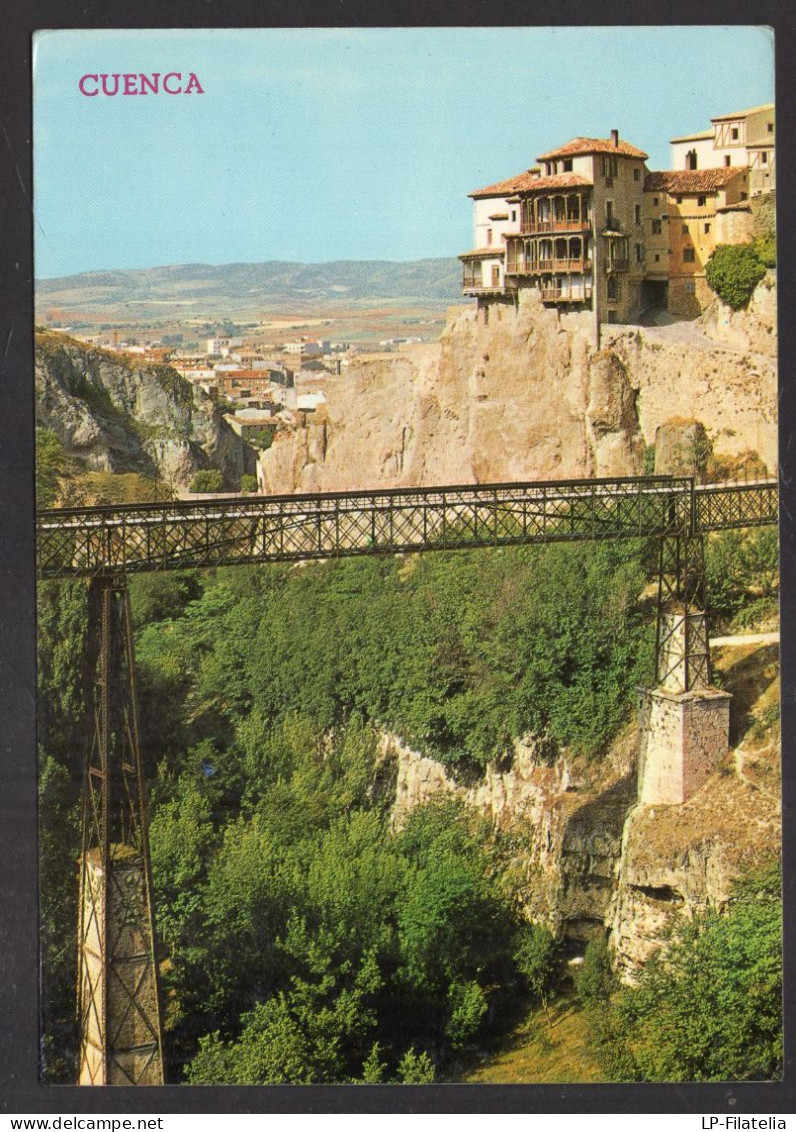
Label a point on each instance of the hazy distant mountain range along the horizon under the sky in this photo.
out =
(271, 285)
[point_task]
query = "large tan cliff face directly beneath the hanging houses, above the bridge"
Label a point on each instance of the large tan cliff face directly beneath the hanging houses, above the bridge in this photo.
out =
(519, 393)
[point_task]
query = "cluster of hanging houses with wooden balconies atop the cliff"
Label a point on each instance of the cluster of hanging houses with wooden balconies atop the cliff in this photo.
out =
(592, 229)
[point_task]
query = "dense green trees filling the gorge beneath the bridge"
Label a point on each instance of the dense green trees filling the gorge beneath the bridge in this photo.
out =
(304, 939)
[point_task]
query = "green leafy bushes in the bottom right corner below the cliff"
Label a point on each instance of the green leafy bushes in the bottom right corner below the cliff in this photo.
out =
(709, 1006)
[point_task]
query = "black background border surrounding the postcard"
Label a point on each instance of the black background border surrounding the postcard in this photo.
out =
(20, 1088)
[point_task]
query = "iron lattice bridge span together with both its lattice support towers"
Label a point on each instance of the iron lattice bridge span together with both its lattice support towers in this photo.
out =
(118, 992)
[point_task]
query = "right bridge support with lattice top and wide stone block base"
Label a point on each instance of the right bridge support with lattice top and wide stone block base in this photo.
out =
(684, 721)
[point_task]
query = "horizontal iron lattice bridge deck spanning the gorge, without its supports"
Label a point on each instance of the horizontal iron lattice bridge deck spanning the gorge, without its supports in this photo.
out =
(246, 529)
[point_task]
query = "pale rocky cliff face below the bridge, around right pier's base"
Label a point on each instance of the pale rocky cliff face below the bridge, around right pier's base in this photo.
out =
(596, 863)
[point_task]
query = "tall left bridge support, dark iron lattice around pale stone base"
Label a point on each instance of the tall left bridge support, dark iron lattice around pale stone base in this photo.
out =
(117, 983)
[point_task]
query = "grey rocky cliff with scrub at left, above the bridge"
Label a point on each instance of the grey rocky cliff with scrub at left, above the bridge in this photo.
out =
(115, 417)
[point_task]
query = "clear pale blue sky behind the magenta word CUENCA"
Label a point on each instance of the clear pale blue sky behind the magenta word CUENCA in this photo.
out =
(313, 145)
